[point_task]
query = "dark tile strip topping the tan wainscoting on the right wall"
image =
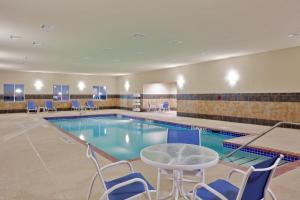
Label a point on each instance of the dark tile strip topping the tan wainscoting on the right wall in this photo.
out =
(266, 97)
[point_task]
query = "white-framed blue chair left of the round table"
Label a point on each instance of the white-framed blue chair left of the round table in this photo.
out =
(128, 186)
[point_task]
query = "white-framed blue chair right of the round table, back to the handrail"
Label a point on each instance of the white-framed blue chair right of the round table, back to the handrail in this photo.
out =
(255, 184)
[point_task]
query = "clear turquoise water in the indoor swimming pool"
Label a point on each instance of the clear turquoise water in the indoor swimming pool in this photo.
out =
(123, 137)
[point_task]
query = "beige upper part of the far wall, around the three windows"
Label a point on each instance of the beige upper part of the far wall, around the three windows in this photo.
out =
(48, 79)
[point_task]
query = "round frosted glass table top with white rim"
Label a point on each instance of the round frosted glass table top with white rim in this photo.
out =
(179, 156)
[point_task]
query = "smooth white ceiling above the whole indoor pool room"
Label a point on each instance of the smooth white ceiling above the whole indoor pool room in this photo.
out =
(97, 36)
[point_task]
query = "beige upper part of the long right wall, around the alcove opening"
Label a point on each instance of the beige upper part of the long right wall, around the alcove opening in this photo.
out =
(276, 71)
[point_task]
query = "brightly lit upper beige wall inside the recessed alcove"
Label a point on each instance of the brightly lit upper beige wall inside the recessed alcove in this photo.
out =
(160, 88)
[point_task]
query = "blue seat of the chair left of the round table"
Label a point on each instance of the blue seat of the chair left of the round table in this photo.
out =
(128, 190)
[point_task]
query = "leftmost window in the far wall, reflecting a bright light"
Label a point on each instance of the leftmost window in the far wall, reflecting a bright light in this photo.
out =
(14, 92)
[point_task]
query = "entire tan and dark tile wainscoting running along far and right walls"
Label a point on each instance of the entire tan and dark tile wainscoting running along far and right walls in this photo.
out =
(252, 108)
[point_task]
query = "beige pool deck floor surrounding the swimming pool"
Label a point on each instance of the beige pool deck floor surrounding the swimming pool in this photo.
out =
(38, 161)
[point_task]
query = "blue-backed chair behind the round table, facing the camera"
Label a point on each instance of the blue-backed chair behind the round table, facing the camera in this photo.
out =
(186, 137)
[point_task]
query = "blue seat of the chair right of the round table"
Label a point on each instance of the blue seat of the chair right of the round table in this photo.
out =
(222, 186)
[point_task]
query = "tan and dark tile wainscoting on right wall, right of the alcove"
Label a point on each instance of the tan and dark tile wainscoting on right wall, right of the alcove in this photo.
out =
(256, 108)
